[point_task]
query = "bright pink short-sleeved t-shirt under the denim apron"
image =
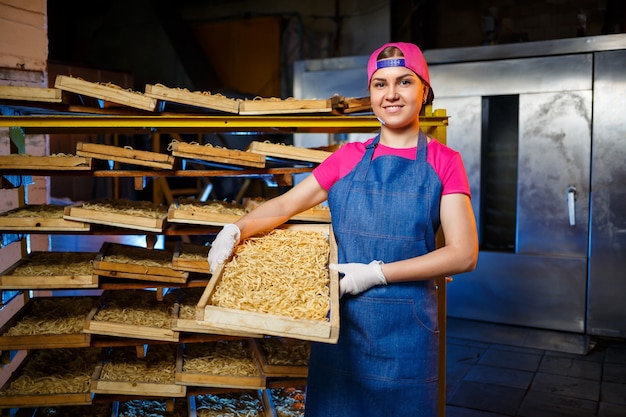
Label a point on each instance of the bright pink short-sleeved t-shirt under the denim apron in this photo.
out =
(446, 162)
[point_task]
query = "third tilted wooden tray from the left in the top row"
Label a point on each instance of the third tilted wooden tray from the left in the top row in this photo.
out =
(196, 98)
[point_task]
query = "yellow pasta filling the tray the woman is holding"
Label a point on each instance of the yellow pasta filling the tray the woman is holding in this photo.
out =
(283, 272)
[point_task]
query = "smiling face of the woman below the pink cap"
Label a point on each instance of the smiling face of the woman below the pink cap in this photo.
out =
(397, 95)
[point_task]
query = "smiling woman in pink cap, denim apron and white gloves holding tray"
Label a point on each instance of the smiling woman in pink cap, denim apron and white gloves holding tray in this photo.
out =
(389, 266)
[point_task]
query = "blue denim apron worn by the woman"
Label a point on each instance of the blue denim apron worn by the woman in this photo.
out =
(385, 362)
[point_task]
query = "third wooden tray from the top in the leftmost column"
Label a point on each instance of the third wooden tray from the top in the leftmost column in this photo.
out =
(39, 217)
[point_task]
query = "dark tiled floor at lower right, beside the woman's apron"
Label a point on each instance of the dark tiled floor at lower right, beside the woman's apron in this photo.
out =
(498, 371)
